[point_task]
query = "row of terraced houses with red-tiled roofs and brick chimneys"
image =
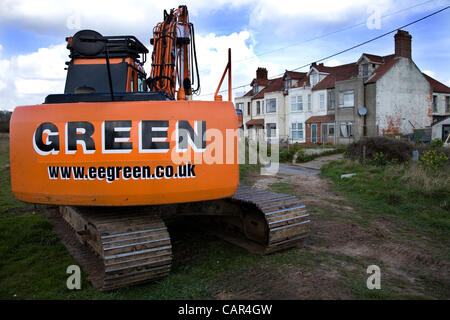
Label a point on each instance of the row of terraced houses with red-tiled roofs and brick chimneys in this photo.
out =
(375, 95)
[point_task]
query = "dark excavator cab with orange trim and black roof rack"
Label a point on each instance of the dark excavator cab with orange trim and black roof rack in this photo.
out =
(104, 67)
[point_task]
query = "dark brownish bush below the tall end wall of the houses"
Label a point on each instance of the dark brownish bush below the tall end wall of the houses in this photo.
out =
(380, 149)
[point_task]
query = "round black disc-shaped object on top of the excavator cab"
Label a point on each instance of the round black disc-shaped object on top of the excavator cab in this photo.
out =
(88, 42)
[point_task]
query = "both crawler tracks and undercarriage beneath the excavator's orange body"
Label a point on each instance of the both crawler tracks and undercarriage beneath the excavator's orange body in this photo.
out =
(131, 245)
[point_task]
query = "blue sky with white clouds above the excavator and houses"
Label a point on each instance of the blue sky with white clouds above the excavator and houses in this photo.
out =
(278, 35)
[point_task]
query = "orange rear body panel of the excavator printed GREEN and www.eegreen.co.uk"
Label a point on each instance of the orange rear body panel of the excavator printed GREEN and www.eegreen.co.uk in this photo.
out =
(30, 178)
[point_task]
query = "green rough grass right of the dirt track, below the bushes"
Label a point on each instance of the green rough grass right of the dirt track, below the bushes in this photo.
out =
(417, 199)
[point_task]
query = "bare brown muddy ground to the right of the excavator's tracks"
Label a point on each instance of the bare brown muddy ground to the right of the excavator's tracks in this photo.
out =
(335, 257)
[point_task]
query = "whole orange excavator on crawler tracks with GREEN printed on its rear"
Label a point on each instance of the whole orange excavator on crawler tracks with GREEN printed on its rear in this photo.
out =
(119, 153)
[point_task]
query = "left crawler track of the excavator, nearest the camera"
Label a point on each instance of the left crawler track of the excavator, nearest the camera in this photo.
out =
(133, 247)
